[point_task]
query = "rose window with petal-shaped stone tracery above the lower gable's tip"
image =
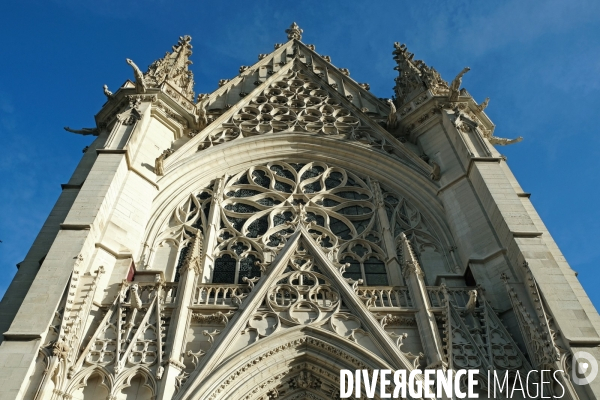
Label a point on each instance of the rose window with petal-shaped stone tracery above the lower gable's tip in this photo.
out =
(266, 202)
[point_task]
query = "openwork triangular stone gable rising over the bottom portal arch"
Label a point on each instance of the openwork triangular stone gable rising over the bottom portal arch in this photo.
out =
(301, 289)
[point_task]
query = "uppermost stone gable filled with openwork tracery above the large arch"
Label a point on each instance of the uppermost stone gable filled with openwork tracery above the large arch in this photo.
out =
(296, 101)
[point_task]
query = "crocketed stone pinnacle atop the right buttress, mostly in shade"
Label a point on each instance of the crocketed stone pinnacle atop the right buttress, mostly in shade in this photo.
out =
(414, 76)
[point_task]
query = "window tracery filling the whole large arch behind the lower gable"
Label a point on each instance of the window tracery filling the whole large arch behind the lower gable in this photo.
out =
(260, 207)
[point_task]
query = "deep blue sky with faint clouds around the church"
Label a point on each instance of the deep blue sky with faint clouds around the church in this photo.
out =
(538, 61)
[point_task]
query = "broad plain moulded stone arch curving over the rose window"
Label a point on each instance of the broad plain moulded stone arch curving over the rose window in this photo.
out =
(234, 157)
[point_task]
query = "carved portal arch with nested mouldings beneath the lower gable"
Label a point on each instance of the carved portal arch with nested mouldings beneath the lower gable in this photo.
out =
(270, 365)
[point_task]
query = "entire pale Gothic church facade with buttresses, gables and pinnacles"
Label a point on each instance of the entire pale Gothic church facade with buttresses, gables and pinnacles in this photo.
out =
(251, 242)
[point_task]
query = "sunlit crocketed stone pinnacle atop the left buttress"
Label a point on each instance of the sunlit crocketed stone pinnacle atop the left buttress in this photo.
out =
(173, 68)
